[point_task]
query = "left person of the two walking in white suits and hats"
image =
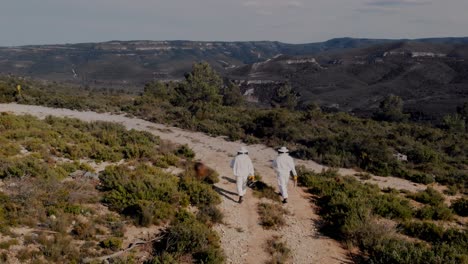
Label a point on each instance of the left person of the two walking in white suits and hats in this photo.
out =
(242, 168)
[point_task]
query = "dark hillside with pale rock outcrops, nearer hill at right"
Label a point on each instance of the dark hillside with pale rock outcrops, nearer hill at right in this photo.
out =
(431, 78)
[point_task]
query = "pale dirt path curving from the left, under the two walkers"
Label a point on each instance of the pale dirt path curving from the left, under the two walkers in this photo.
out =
(243, 239)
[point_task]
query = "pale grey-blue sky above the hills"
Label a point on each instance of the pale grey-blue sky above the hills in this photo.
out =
(25, 22)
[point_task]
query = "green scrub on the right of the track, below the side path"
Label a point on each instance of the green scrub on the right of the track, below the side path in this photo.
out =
(385, 226)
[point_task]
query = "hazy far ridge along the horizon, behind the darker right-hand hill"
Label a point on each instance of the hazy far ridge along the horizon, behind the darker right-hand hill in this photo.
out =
(135, 62)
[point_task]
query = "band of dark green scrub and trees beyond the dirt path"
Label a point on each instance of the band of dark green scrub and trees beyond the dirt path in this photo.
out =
(201, 102)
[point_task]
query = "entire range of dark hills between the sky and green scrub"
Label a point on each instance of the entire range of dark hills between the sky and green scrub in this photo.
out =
(350, 74)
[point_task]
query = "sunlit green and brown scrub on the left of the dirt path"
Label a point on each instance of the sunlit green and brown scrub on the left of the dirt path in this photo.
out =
(68, 220)
